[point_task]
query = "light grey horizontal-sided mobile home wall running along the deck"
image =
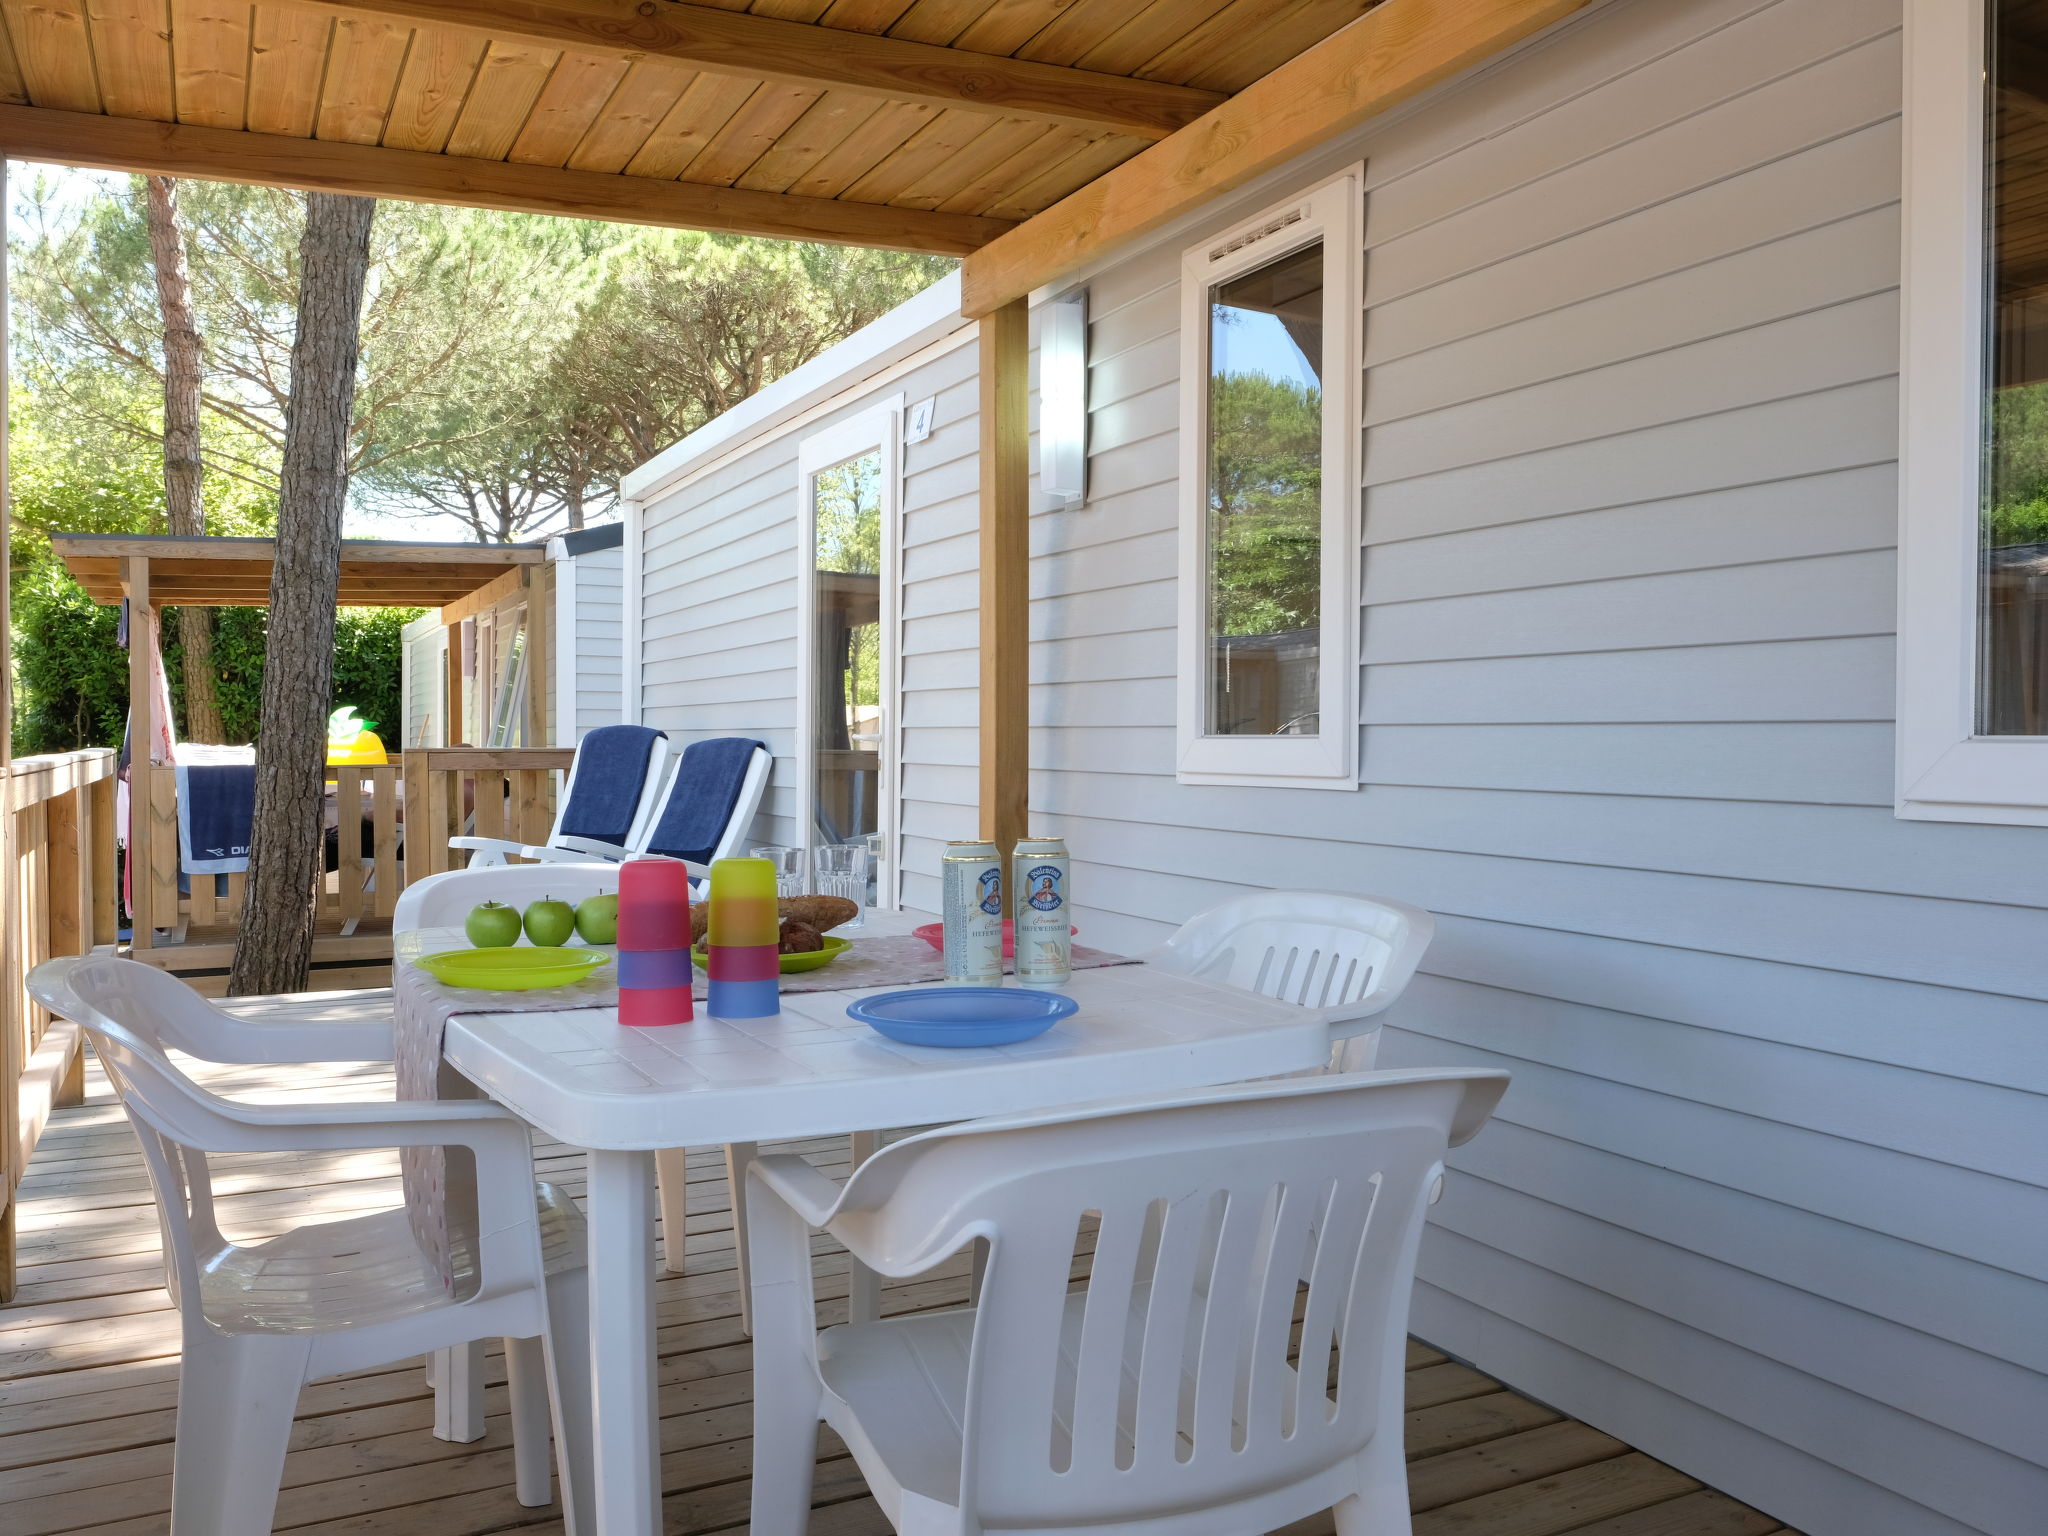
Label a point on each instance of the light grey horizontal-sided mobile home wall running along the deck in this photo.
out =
(1625, 396)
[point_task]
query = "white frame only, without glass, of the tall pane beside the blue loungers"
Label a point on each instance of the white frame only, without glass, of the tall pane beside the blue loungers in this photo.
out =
(878, 429)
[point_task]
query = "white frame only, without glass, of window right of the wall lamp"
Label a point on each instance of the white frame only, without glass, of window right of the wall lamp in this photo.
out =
(1334, 216)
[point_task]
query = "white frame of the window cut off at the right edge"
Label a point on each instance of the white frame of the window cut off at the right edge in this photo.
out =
(1945, 769)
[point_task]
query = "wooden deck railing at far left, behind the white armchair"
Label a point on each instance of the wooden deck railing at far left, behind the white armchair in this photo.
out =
(56, 898)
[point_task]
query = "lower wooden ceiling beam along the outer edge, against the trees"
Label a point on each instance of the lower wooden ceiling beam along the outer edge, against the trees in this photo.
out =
(132, 144)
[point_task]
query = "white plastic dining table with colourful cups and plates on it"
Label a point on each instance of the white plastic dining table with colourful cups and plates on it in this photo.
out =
(630, 1093)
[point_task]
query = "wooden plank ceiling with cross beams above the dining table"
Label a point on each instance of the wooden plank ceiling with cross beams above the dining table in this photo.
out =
(912, 124)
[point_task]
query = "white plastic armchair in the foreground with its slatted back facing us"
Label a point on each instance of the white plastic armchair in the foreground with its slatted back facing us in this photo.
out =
(1160, 1400)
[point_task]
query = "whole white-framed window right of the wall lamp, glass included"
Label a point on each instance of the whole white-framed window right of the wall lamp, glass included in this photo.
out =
(1269, 468)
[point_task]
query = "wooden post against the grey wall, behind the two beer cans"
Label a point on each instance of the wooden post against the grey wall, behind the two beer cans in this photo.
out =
(1005, 574)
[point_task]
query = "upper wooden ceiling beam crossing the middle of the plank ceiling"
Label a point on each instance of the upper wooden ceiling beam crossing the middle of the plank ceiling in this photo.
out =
(765, 48)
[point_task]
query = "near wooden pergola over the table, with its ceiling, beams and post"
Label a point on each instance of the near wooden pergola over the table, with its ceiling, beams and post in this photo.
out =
(1027, 136)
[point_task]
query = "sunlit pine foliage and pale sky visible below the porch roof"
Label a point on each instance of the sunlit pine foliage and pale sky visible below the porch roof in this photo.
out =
(513, 366)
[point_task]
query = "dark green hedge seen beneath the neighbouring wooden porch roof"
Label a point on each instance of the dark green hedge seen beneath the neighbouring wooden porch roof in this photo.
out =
(71, 673)
